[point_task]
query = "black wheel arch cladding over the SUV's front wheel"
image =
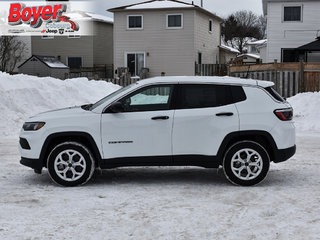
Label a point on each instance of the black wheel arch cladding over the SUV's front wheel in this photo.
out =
(80, 137)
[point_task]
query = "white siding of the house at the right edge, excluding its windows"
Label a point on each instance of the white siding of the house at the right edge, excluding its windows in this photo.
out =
(291, 34)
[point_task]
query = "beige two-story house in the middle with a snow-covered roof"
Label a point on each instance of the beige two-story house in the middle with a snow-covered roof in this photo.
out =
(166, 36)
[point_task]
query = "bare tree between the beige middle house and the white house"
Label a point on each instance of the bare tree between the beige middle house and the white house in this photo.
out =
(241, 27)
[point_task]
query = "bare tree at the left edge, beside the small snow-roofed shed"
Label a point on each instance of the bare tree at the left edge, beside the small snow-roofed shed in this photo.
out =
(11, 52)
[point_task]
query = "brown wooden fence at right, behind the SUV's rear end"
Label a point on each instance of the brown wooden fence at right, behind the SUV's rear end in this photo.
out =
(289, 78)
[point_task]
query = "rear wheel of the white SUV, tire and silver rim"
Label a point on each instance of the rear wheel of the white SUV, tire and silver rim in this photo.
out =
(246, 163)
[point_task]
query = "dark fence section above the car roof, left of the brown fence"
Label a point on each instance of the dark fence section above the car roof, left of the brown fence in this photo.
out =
(211, 69)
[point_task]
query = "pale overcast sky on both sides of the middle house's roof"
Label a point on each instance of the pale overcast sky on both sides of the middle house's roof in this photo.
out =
(221, 7)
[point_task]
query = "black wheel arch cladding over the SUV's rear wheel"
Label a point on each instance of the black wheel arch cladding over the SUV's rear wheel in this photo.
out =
(262, 137)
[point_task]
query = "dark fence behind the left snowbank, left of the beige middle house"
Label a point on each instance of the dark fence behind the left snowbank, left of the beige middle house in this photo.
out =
(96, 72)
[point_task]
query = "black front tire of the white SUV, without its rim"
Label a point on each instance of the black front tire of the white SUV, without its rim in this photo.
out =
(72, 146)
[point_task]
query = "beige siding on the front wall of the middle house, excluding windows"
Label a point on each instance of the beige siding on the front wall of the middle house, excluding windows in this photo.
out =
(167, 50)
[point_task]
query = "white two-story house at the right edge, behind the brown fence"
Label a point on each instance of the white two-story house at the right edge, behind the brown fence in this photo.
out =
(292, 24)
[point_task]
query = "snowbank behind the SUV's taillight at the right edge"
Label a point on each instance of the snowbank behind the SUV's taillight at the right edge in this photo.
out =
(306, 111)
